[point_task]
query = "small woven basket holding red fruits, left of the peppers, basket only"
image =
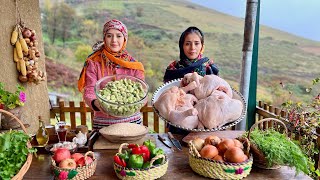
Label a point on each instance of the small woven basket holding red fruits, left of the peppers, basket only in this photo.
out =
(79, 173)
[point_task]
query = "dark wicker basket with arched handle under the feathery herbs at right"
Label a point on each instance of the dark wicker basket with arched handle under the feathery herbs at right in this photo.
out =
(259, 159)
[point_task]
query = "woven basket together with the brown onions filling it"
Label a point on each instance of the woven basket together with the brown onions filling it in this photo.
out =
(220, 158)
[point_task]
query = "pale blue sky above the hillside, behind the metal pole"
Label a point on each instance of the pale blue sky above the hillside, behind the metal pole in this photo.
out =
(299, 17)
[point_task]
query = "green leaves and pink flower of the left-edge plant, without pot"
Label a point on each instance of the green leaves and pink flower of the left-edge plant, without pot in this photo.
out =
(12, 100)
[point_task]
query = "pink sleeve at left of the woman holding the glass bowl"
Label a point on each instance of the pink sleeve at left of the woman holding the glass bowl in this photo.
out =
(90, 81)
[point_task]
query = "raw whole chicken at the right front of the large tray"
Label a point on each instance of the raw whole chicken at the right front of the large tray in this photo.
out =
(218, 109)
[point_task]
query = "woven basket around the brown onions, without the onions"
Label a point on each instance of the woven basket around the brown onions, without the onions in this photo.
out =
(217, 169)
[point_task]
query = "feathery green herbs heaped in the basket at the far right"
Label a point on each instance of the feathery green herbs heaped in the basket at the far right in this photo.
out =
(278, 149)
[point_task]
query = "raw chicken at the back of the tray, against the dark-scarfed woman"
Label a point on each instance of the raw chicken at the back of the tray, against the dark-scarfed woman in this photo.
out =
(203, 87)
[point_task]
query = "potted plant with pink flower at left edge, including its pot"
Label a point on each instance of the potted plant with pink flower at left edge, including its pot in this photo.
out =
(11, 101)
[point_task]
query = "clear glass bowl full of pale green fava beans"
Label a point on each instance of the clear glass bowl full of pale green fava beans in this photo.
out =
(121, 95)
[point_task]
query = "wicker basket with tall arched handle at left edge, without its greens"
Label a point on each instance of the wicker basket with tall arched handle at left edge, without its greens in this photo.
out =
(27, 164)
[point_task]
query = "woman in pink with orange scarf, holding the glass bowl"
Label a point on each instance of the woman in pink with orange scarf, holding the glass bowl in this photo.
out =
(110, 57)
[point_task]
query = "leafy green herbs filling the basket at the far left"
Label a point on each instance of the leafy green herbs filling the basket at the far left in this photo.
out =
(13, 152)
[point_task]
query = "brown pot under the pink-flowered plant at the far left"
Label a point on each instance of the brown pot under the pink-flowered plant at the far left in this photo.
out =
(8, 122)
